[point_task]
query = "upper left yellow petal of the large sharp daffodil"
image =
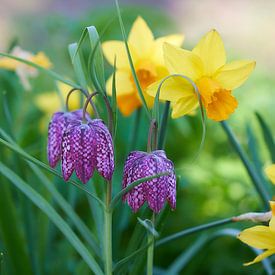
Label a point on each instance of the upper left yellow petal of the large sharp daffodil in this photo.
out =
(179, 61)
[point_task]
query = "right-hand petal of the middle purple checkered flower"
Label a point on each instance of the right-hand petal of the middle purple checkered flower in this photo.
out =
(104, 149)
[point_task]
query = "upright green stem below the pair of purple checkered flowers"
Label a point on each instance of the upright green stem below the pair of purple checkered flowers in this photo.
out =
(108, 231)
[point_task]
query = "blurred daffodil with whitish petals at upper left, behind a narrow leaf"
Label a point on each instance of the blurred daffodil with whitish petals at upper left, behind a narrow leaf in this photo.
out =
(25, 71)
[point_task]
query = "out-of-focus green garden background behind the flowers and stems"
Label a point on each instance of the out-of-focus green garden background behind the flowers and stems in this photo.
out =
(215, 185)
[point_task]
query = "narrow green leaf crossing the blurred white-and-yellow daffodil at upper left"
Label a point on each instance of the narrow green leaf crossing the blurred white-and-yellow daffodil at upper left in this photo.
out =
(51, 73)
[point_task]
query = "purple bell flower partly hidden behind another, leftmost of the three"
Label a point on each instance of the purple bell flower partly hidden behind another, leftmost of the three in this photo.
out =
(58, 124)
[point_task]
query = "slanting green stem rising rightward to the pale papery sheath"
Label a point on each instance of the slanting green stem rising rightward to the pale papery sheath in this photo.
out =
(195, 229)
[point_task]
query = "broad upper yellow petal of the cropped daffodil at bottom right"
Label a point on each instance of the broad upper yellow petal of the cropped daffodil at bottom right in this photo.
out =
(258, 236)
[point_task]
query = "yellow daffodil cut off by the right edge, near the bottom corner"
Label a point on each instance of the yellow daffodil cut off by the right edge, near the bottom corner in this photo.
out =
(261, 237)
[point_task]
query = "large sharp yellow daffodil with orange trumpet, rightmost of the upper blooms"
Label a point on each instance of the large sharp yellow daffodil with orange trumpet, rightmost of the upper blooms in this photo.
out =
(206, 66)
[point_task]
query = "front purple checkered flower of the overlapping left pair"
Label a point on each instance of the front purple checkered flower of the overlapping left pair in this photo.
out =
(86, 147)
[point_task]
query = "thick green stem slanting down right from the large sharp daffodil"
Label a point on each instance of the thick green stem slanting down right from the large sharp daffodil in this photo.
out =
(259, 186)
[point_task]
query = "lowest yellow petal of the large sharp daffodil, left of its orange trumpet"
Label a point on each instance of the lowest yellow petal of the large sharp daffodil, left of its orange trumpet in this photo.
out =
(184, 106)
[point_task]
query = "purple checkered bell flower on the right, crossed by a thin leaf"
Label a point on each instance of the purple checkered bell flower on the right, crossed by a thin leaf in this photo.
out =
(156, 191)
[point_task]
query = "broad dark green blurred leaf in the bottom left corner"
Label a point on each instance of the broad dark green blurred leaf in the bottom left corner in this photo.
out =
(12, 235)
